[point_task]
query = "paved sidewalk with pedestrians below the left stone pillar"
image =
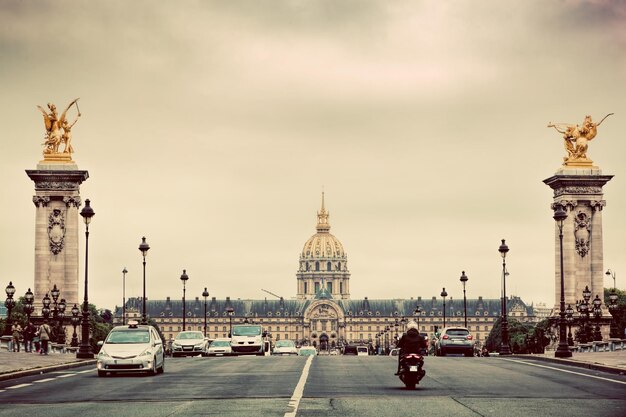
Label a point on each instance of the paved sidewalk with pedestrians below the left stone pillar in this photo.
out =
(19, 364)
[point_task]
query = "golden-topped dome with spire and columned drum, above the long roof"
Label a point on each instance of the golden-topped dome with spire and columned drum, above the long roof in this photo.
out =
(323, 263)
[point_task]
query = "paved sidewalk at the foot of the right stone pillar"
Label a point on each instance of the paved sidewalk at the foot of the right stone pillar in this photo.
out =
(613, 362)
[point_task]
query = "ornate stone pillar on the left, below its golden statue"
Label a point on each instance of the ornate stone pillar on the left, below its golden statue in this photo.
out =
(57, 199)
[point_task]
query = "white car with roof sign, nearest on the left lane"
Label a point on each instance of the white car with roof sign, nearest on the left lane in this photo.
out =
(131, 348)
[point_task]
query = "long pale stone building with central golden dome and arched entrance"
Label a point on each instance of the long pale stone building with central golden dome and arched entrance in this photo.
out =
(322, 314)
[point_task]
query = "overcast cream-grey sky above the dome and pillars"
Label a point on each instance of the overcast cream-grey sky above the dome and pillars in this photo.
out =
(212, 128)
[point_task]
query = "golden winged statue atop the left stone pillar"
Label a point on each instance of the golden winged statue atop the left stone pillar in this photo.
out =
(58, 129)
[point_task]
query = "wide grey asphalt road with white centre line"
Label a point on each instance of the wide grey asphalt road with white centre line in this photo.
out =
(323, 385)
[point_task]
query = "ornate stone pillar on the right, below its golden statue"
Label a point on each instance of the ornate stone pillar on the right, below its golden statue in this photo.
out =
(580, 192)
